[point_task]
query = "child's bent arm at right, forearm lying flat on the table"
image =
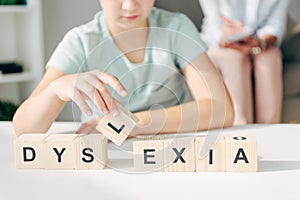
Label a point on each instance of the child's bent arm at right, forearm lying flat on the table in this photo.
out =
(211, 108)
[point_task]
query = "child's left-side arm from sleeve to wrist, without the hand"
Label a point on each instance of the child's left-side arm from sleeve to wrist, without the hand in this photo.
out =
(37, 113)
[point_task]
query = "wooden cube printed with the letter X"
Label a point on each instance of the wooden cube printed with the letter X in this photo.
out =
(179, 154)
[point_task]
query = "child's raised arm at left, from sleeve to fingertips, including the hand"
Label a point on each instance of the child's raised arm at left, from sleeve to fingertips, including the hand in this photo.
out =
(39, 111)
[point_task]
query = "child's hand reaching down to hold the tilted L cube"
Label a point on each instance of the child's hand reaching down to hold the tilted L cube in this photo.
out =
(89, 86)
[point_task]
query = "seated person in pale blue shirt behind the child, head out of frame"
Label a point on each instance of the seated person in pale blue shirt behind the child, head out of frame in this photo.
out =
(243, 38)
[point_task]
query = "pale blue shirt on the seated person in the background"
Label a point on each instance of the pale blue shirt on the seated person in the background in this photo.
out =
(260, 16)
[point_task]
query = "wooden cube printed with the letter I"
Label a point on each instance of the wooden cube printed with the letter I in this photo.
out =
(210, 154)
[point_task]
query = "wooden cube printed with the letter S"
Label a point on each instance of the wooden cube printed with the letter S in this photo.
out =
(91, 151)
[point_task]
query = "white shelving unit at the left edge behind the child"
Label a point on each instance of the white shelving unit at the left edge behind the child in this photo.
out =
(21, 30)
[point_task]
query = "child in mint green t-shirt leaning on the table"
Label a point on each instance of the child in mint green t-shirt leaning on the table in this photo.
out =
(148, 57)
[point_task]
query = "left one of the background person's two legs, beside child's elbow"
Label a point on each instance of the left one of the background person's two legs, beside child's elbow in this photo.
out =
(236, 71)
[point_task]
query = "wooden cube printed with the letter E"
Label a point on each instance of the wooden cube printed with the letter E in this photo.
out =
(149, 153)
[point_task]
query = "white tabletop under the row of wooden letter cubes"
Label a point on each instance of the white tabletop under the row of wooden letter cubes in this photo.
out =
(278, 176)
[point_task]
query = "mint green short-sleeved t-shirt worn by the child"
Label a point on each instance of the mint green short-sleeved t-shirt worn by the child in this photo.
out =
(172, 42)
